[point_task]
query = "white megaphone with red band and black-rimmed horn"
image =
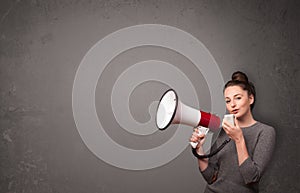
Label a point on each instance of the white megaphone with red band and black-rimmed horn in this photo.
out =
(172, 111)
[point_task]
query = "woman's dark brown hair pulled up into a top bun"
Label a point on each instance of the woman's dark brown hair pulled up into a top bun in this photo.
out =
(239, 78)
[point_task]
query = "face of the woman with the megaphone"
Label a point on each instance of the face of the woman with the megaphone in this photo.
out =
(237, 101)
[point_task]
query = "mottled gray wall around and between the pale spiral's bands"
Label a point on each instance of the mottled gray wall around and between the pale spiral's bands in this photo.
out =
(43, 42)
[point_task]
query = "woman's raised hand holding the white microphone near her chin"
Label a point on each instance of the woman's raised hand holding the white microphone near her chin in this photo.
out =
(233, 131)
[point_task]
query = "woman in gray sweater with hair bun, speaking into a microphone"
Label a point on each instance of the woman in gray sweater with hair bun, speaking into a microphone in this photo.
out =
(239, 166)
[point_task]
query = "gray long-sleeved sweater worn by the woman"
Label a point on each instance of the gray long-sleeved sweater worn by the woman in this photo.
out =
(224, 175)
